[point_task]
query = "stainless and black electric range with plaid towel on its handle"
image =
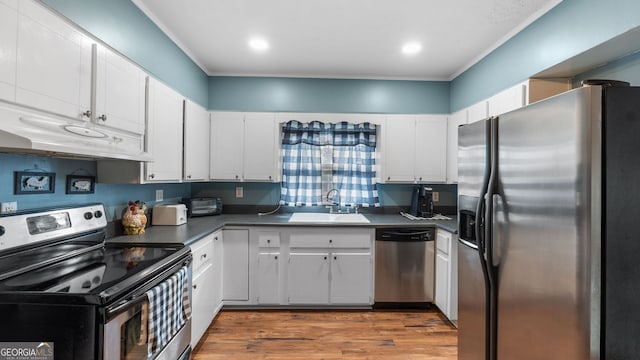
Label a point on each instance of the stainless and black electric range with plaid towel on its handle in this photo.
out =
(60, 283)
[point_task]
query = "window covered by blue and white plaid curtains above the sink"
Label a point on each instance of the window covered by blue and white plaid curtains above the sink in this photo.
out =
(319, 157)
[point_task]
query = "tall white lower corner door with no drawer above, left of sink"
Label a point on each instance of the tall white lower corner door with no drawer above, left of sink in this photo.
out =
(235, 265)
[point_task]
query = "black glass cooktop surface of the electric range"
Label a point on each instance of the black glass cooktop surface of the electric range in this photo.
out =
(91, 272)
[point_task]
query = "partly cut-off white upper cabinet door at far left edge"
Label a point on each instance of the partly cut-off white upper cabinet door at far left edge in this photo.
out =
(8, 45)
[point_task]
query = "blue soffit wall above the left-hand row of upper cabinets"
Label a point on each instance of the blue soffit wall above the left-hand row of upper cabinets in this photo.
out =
(125, 28)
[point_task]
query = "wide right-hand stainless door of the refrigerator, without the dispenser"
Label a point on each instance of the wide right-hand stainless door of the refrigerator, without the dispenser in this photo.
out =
(548, 153)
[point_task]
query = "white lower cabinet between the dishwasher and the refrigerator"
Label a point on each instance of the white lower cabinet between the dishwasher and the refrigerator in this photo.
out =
(446, 297)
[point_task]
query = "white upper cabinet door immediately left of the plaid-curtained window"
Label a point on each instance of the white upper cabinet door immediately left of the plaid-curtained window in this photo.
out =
(260, 147)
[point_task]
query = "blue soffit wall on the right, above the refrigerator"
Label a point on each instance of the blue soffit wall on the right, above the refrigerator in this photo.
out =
(569, 29)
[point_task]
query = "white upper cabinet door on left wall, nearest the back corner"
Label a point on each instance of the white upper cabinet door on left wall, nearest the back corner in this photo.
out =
(196, 142)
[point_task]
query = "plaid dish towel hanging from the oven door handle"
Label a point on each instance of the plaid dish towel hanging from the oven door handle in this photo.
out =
(169, 309)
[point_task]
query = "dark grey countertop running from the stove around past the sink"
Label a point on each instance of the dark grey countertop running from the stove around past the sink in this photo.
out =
(199, 227)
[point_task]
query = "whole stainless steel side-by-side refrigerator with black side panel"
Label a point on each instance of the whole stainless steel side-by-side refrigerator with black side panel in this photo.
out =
(549, 229)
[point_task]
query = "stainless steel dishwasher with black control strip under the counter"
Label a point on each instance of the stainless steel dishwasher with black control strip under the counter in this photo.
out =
(404, 266)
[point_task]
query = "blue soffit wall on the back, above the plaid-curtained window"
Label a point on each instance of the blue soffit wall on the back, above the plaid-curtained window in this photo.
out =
(328, 95)
